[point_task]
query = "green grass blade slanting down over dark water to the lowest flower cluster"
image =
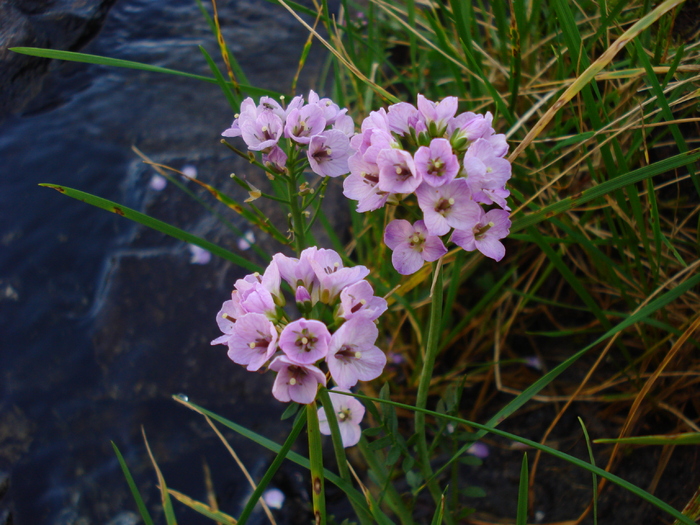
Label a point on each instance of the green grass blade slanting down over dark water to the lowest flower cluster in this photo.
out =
(155, 224)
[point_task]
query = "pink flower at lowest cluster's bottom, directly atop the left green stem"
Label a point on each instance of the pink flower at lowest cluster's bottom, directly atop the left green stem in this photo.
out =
(295, 382)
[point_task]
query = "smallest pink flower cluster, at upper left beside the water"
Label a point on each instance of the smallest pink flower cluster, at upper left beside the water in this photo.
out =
(318, 125)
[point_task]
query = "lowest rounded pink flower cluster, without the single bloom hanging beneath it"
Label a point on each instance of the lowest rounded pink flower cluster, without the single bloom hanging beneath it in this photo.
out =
(258, 332)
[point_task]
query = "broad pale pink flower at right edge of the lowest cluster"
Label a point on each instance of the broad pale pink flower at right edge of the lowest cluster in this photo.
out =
(352, 355)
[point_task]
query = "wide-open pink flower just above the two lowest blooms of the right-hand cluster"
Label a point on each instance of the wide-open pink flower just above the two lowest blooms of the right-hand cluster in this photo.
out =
(447, 206)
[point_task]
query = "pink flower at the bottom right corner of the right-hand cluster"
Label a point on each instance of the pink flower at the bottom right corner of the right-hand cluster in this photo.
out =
(485, 235)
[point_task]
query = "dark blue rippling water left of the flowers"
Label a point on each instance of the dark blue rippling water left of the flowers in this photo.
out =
(102, 321)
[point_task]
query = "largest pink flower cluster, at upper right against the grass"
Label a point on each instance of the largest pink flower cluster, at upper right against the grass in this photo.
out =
(453, 163)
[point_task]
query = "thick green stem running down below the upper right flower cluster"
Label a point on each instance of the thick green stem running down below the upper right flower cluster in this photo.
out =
(431, 350)
